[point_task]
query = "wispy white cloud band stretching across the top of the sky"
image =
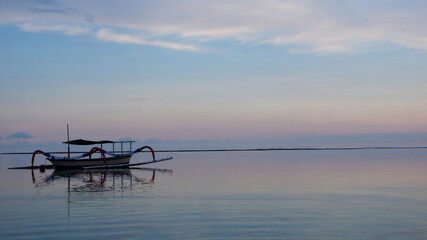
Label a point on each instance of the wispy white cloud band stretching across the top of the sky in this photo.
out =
(320, 27)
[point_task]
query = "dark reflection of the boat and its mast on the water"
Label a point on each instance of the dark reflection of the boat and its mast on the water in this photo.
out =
(96, 185)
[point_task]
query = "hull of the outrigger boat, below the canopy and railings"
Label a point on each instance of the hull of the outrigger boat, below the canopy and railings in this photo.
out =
(79, 163)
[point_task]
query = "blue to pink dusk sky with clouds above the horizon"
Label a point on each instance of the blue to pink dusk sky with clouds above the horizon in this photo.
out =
(213, 70)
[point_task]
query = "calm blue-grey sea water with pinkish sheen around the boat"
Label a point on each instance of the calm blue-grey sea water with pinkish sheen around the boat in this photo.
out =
(353, 194)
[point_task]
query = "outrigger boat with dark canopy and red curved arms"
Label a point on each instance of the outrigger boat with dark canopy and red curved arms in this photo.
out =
(107, 159)
